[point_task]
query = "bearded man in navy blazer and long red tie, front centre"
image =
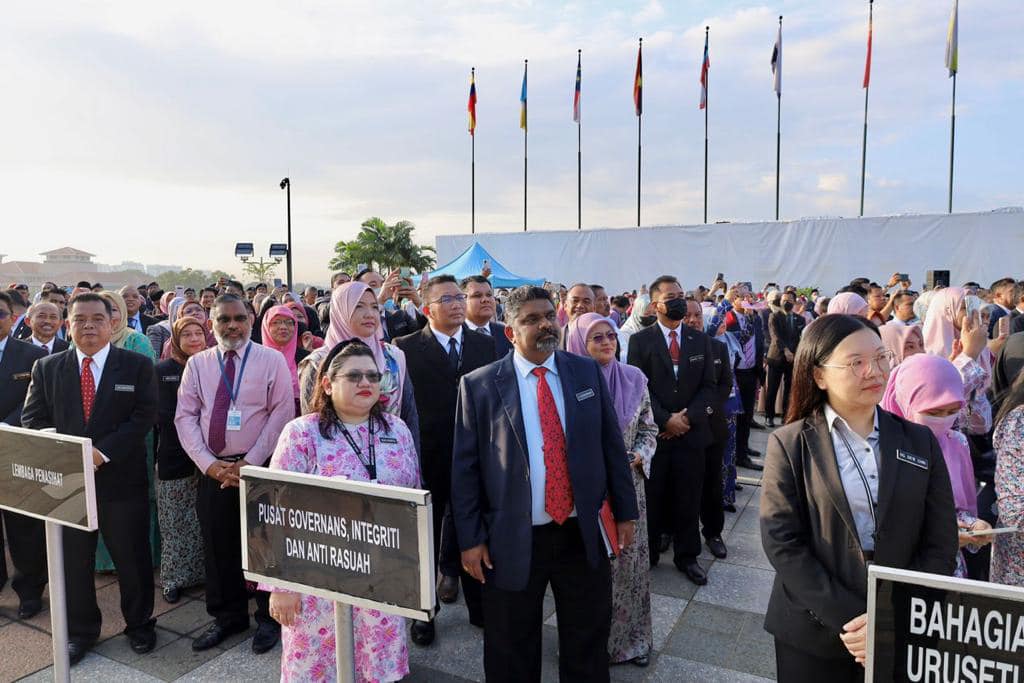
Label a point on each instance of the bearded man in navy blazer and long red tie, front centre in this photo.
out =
(537, 450)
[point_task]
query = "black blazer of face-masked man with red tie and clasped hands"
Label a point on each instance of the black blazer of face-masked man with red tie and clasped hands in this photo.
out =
(695, 390)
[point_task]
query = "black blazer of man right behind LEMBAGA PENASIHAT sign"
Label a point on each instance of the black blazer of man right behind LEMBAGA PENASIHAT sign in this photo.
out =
(120, 419)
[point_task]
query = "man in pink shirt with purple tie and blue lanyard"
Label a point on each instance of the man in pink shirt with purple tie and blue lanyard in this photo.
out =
(233, 404)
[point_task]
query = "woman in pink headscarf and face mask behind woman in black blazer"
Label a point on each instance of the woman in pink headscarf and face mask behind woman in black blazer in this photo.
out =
(928, 391)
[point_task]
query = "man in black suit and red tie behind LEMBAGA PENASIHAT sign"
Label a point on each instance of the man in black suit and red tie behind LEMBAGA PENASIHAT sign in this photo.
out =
(110, 396)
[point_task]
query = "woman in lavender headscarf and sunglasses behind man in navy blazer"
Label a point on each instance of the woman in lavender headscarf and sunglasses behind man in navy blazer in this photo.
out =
(631, 638)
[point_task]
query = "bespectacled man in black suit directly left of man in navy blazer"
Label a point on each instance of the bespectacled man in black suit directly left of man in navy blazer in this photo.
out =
(437, 358)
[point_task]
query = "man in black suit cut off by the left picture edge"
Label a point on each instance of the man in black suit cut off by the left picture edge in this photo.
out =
(27, 536)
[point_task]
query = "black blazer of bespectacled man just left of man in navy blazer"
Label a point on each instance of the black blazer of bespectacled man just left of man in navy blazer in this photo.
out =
(436, 385)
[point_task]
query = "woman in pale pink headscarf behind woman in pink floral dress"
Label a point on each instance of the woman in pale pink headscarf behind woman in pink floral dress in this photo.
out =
(356, 315)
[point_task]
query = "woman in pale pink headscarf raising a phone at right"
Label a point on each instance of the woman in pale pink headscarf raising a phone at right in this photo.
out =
(952, 333)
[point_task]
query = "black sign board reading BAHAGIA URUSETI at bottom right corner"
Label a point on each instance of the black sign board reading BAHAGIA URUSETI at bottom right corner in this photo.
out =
(927, 628)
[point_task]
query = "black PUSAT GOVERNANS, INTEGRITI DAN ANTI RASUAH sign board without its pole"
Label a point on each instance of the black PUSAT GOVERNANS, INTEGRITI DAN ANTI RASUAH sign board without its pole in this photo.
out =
(352, 542)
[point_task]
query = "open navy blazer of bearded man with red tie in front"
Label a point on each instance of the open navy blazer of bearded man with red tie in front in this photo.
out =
(491, 494)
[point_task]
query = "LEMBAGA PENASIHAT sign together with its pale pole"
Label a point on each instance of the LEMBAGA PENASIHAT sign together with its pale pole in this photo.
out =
(50, 477)
